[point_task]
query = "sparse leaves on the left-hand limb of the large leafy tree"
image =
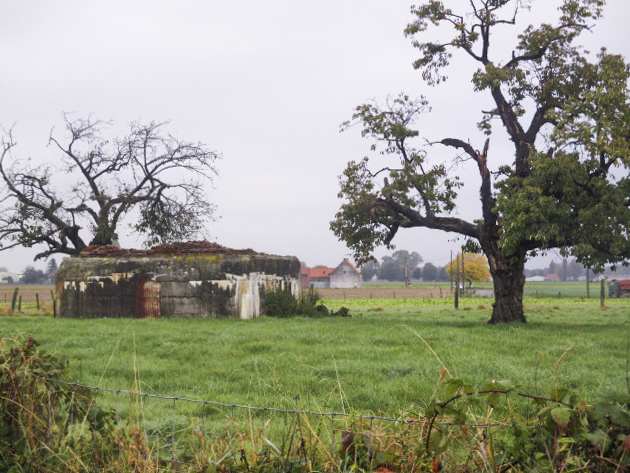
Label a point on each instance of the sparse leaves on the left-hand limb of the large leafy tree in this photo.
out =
(366, 220)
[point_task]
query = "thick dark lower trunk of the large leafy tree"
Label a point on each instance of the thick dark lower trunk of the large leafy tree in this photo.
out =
(508, 280)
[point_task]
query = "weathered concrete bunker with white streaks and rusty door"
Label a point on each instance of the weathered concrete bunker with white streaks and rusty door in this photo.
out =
(194, 279)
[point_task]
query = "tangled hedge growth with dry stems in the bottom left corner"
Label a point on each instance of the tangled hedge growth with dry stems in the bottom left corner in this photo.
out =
(44, 424)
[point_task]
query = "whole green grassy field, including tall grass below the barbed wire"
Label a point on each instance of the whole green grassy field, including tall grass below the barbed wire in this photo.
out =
(390, 358)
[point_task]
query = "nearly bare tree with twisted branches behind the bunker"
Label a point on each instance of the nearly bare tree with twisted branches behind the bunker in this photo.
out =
(150, 180)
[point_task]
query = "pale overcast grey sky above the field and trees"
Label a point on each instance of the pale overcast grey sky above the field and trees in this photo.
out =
(265, 83)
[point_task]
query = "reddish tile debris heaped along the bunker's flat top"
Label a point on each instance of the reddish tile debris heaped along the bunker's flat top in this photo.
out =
(190, 247)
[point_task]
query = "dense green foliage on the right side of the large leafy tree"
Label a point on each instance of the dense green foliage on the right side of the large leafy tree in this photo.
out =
(572, 198)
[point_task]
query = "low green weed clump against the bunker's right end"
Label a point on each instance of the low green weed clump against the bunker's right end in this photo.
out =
(282, 304)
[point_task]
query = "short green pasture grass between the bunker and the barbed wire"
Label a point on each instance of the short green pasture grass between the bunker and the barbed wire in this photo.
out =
(386, 358)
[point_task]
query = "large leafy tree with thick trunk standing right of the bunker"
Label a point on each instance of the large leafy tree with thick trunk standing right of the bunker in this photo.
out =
(566, 114)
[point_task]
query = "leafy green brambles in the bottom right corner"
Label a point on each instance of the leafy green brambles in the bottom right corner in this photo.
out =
(561, 430)
